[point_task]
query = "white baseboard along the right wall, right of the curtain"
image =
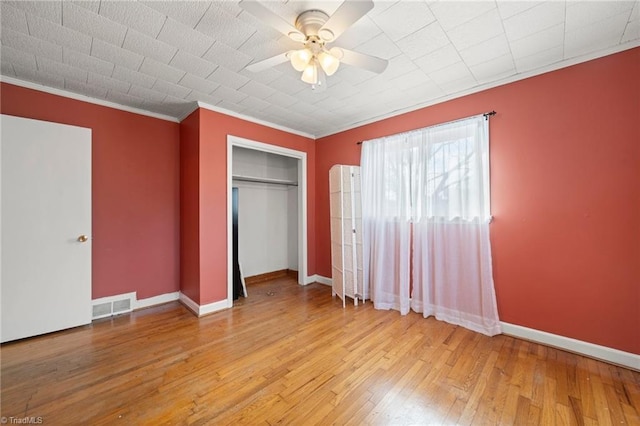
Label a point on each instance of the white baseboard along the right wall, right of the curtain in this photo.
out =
(614, 356)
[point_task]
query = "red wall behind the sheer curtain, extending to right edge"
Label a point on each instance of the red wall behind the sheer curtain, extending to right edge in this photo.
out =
(565, 176)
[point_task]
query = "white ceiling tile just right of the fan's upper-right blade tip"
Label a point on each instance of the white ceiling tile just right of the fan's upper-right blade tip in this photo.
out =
(404, 18)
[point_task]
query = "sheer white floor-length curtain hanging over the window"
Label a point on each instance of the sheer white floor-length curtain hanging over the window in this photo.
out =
(426, 223)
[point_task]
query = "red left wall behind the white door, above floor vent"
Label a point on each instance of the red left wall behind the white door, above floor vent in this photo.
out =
(135, 190)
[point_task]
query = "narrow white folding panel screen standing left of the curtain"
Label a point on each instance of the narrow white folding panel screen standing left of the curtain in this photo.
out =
(346, 233)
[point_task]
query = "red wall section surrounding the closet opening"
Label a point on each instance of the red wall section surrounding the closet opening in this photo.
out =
(212, 195)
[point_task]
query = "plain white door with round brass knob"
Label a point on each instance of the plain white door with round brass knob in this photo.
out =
(46, 227)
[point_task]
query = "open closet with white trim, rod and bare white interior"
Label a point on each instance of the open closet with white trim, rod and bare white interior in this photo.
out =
(269, 210)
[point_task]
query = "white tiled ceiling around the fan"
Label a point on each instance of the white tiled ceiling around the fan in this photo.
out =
(162, 56)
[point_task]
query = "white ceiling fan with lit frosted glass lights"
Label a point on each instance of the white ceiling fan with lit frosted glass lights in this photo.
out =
(315, 30)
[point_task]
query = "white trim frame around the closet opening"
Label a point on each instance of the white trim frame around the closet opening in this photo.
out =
(233, 141)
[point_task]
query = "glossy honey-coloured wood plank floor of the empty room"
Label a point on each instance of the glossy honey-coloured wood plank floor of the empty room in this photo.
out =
(291, 355)
